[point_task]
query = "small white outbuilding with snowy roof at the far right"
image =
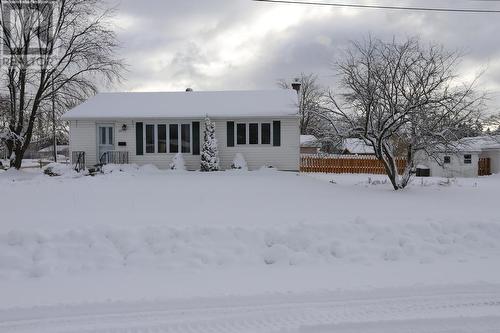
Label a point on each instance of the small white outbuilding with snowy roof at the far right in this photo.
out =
(472, 157)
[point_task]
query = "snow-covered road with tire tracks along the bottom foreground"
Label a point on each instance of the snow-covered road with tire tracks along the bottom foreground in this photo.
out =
(464, 309)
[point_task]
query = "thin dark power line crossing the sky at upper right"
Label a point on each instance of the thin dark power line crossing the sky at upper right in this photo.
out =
(426, 9)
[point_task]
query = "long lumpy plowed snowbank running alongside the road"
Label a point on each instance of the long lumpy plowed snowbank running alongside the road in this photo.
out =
(35, 254)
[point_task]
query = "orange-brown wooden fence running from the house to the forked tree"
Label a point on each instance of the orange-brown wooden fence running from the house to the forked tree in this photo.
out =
(346, 164)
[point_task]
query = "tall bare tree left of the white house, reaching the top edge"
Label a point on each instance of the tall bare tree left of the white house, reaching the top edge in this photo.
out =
(63, 48)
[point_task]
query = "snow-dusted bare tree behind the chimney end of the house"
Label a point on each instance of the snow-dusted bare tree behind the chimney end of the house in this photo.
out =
(310, 97)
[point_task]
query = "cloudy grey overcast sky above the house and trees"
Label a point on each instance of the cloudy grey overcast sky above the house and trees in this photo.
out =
(240, 44)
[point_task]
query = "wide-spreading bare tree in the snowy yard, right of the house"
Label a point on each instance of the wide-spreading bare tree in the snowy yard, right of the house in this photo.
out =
(402, 97)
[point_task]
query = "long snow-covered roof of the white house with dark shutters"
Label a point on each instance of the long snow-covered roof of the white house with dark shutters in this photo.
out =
(137, 105)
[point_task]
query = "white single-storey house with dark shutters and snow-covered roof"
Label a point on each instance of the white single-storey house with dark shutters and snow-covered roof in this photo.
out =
(150, 128)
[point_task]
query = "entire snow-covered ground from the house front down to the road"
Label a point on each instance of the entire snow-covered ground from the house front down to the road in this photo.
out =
(143, 250)
